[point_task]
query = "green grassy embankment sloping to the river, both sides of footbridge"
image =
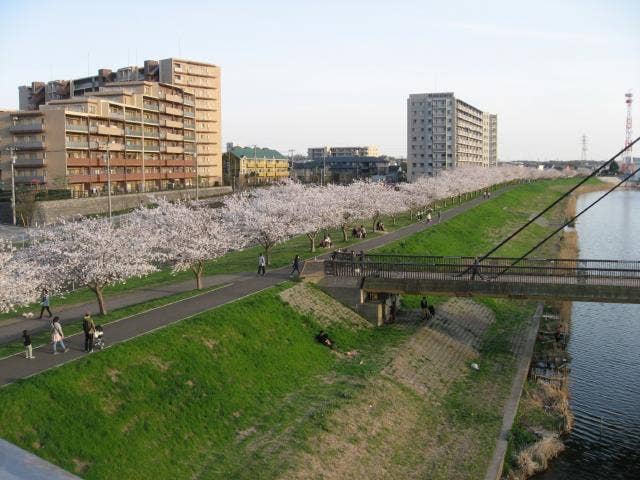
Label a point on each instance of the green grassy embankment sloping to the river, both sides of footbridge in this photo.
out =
(242, 390)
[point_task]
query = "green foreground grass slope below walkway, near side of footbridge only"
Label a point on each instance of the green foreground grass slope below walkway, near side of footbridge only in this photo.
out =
(224, 395)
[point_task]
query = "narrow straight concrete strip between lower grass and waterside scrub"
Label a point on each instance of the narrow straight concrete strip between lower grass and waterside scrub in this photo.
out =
(494, 472)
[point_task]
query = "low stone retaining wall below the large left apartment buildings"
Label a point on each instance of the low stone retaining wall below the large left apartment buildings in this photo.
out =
(48, 212)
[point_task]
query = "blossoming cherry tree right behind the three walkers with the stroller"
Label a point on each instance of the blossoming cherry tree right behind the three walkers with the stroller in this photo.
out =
(94, 253)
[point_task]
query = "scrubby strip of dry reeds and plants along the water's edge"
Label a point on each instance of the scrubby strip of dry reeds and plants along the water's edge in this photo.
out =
(544, 415)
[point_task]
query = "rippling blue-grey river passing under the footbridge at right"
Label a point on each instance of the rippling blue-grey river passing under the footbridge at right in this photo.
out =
(605, 350)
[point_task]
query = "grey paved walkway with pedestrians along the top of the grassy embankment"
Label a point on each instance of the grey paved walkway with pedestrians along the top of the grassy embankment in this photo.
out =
(16, 367)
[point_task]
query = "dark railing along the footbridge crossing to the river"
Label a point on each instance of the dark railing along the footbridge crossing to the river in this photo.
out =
(564, 271)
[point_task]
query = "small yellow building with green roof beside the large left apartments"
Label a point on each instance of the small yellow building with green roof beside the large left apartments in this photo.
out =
(253, 166)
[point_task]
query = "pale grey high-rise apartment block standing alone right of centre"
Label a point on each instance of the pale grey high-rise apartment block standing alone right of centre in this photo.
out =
(444, 132)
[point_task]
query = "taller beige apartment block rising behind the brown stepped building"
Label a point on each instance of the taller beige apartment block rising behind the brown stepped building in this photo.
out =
(199, 79)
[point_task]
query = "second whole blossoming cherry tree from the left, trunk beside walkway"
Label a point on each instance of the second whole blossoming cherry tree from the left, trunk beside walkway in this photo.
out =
(186, 236)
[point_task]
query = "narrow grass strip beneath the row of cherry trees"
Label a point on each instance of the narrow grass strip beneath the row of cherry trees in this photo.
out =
(240, 261)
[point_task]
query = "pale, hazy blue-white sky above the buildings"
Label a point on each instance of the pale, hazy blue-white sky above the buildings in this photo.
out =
(298, 74)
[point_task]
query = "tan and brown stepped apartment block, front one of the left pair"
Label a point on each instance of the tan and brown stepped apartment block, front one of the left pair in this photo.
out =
(139, 136)
